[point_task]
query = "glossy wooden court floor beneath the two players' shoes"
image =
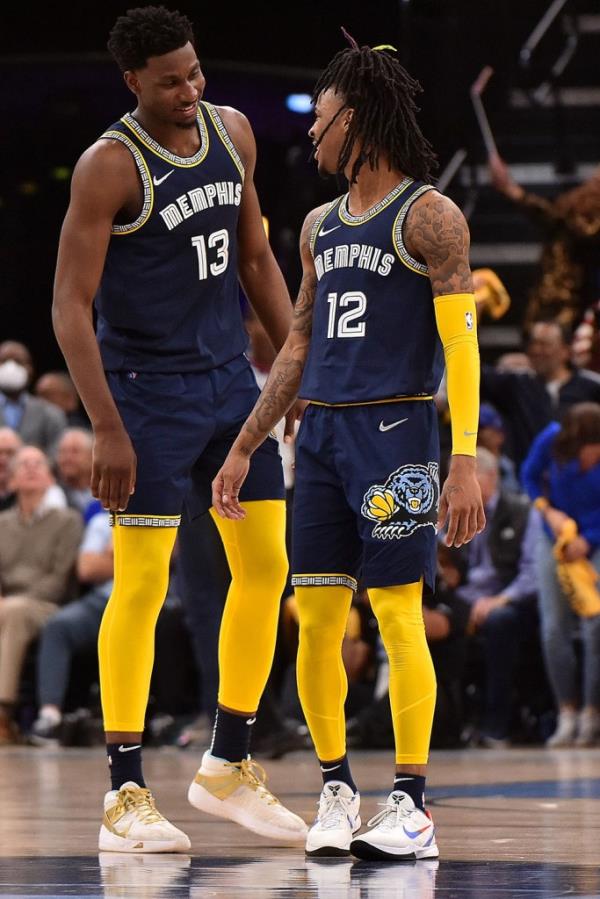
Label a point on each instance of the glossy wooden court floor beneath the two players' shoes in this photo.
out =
(513, 823)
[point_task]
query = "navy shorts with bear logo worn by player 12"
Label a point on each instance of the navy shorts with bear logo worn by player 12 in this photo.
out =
(366, 495)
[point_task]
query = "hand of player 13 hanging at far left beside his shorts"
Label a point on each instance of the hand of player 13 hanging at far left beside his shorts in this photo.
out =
(114, 466)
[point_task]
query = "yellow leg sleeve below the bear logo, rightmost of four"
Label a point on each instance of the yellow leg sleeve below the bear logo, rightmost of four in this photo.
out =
(412, 677)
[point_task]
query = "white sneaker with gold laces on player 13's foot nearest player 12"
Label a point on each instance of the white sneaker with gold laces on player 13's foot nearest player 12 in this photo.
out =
(237, 791)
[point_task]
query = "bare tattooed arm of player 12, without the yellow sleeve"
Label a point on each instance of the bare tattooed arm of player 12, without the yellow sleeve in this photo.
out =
(279, 392)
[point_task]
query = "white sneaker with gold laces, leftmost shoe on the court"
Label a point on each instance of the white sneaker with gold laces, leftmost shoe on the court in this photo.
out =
(132, 823)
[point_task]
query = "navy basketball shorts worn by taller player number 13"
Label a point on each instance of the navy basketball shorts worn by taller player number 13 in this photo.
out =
(182, 427)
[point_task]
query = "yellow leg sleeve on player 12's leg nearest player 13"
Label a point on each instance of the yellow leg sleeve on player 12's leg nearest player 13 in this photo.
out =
(322, 682)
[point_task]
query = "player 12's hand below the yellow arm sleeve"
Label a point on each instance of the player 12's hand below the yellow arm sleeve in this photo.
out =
(461, 506)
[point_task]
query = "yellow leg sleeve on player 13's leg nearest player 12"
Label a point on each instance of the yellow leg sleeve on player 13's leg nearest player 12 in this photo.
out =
(255, 549)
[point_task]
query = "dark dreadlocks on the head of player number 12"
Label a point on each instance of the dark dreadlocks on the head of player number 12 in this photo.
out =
(381, 93)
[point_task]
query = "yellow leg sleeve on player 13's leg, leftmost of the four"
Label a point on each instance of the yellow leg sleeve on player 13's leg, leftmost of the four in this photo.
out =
(126, 639)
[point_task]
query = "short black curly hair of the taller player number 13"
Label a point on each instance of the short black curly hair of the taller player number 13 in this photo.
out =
(147, 31)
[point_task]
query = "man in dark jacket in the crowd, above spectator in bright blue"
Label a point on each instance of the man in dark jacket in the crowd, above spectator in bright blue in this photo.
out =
(528, 402)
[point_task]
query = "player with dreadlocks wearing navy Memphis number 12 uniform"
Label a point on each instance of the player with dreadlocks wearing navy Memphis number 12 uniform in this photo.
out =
(386, 296)
